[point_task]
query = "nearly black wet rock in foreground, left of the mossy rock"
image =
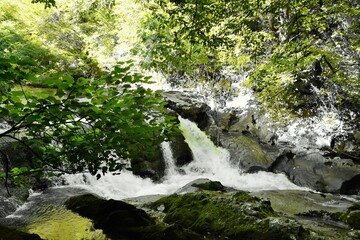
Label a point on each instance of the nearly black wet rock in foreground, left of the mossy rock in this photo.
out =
(123, 221)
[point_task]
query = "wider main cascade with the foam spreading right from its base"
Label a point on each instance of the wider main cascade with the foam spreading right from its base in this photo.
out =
(214, 163)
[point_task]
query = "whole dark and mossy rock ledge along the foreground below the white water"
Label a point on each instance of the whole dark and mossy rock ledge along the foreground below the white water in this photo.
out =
(208, 210)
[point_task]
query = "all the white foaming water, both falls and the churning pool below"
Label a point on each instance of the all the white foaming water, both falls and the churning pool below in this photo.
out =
(209, 162)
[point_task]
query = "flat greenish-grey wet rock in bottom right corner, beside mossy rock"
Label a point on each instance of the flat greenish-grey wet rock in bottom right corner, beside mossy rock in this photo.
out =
(331, 216)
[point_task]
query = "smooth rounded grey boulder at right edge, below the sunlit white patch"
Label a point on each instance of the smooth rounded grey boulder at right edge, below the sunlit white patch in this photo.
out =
(317, 172)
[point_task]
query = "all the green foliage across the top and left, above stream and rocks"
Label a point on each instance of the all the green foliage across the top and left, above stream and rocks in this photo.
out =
(65, 98)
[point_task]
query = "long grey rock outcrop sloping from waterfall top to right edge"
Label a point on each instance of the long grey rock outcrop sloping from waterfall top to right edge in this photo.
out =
(253, 146)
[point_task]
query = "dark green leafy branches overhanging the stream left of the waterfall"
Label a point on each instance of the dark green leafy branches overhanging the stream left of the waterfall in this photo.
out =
(88, 124)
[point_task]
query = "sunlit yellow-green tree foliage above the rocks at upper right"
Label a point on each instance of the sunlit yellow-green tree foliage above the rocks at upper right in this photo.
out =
(297, 54)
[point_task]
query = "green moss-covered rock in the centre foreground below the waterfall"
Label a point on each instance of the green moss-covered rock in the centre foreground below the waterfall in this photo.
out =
(228, 216)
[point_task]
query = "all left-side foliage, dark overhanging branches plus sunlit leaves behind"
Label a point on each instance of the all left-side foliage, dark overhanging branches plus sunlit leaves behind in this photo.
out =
(62, 102)
